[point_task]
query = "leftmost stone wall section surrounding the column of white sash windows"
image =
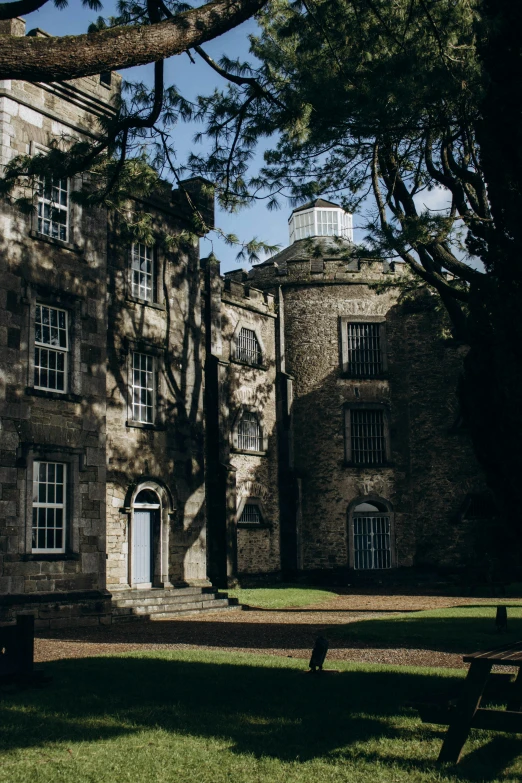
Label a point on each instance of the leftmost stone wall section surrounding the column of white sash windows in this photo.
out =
(68, 427)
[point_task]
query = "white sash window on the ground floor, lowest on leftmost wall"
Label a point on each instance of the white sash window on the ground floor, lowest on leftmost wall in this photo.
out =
(49, 506)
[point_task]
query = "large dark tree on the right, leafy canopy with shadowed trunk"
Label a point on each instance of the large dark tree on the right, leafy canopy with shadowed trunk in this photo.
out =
(387, 101)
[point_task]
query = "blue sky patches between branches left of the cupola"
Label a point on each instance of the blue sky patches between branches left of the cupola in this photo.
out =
(191, 80)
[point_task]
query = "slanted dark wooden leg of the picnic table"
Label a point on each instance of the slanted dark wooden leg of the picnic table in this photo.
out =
(469, 701)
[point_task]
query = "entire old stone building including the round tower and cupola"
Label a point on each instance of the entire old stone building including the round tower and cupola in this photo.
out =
(165, 430)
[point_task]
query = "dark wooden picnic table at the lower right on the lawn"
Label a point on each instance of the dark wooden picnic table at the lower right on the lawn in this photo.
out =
(468, 714)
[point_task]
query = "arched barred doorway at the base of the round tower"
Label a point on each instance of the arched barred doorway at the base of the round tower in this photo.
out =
(370, 535)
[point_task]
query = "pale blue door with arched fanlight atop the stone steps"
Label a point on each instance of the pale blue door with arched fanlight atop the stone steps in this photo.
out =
(146, 519)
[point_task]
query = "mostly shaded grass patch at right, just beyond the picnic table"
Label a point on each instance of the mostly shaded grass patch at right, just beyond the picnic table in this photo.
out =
(461, 629)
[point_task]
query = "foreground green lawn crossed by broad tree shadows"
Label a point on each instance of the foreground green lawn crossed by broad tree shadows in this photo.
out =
(208, 717)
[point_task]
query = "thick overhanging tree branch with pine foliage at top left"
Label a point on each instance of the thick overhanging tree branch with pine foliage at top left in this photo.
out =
(137, 148)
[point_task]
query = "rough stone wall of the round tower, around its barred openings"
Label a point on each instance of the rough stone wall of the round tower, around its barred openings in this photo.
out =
(429, 470)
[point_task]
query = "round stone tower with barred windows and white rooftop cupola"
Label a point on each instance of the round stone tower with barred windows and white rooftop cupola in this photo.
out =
(373, 477)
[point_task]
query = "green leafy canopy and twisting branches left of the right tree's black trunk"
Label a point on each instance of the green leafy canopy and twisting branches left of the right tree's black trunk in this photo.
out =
(373, 98)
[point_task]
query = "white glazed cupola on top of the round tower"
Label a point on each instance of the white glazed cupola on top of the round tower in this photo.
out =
(320, 218)
